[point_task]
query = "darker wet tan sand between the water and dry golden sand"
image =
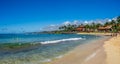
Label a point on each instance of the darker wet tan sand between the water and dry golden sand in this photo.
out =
(90, 53)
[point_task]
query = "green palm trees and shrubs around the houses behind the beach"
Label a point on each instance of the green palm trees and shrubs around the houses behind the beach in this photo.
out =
(94, 27)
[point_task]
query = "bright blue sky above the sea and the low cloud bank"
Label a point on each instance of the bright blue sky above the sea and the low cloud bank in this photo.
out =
(38, 15)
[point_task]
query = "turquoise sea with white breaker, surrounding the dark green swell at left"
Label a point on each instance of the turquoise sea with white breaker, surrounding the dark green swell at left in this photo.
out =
(52, 46)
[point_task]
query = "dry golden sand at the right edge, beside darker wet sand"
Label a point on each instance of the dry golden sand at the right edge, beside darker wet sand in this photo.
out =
(112, 49)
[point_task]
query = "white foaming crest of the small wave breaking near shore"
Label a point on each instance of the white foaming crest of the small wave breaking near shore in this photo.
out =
(62, 40)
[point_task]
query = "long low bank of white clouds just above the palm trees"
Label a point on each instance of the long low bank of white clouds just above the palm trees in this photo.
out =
(77, 22)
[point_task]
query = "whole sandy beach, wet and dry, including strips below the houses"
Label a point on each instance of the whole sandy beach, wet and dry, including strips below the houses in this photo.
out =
(104, 51)
